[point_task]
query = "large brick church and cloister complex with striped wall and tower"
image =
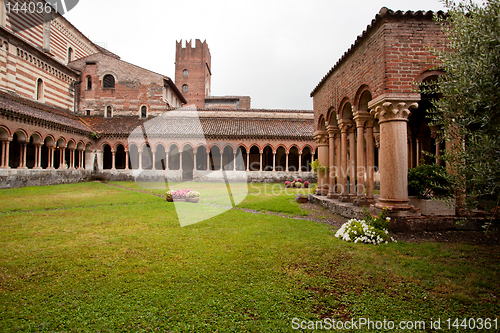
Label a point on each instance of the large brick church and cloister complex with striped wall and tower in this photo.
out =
(68, 108)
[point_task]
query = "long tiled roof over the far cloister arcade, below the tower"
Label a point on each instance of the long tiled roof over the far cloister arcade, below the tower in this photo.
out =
(207, 126)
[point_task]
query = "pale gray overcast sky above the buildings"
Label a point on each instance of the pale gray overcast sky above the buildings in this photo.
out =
(276, 52)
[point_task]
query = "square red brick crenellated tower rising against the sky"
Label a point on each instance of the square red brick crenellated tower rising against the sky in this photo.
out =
(193, 71)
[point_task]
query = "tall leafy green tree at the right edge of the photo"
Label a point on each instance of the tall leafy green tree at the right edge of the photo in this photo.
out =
(468, 109)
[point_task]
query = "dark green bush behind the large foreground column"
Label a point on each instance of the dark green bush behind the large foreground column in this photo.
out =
(426, 181)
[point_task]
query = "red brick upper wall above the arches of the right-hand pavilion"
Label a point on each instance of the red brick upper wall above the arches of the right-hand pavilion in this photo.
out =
(387, 59)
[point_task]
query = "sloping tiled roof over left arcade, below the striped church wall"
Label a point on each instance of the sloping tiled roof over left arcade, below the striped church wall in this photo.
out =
(32, 109)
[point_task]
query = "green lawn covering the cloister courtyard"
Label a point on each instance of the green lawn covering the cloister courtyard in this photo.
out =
(95, 258)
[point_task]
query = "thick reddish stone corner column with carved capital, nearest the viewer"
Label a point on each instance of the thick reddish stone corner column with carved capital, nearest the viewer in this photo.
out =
(392, 111)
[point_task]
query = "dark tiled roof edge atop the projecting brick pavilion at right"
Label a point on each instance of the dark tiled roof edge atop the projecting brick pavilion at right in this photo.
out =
(384, 13)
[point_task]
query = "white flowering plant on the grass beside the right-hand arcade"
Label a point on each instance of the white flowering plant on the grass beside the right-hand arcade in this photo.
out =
(370, 230)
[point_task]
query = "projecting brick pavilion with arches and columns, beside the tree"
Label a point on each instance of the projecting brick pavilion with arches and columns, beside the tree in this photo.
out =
(362, 109)
